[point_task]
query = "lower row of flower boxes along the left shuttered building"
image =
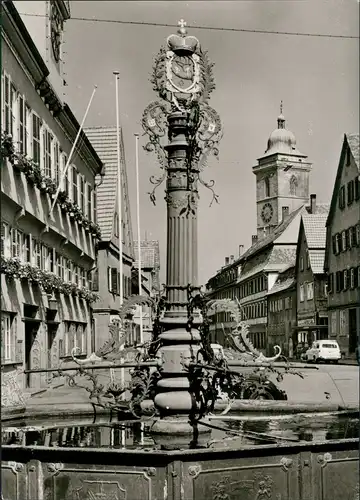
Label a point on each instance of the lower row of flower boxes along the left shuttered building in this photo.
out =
(48, 281)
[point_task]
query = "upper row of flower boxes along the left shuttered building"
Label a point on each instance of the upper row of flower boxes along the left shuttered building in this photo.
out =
(34, 176)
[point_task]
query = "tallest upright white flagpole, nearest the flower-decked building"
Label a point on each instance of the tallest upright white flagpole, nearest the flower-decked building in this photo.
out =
(119, 199)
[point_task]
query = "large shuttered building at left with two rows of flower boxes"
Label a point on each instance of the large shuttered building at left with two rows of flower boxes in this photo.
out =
(46, 255)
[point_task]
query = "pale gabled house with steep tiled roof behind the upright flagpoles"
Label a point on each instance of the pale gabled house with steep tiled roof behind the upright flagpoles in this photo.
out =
(106, 278)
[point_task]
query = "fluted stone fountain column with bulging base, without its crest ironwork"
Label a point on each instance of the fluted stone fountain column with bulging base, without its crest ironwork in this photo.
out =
(179, 342)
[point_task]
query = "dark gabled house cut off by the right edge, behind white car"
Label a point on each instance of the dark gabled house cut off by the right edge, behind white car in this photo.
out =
(342, 259)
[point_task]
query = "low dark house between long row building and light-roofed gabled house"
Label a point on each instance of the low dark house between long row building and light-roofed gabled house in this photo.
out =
(281, 323)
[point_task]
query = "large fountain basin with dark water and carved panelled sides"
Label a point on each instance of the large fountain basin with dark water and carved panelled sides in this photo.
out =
(45, 465)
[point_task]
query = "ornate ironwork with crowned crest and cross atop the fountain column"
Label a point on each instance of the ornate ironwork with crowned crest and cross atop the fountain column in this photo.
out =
(183, 79)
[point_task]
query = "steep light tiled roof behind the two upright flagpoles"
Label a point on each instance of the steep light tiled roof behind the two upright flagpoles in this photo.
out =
(104, 142)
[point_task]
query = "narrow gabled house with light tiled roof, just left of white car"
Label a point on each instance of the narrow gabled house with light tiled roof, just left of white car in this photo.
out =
(311, 280)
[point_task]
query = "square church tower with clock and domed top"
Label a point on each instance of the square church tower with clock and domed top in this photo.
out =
(282, 179)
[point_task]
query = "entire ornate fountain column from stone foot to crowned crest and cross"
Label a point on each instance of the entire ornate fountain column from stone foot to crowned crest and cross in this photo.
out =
(183, 79)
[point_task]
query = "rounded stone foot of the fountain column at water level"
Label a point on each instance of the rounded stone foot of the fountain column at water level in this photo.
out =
(174, 433)
